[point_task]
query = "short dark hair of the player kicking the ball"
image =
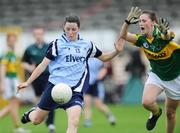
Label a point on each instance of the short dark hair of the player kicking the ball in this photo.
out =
(72, 19)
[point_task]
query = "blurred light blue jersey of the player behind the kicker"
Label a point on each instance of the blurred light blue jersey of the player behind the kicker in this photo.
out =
(95, 65)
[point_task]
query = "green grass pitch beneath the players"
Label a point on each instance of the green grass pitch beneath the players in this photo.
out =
(130, 119)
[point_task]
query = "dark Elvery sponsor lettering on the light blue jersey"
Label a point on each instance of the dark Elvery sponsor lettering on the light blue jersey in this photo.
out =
(71, 58)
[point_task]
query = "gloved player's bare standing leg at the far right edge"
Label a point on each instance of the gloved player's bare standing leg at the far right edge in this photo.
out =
(171, 106)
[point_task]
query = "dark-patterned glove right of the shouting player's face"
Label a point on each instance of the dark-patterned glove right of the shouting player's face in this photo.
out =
(163, 26)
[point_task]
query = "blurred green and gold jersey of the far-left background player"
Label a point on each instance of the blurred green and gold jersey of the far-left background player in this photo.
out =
(10, 61)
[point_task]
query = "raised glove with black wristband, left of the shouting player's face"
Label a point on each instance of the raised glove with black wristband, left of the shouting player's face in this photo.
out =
(133, 16)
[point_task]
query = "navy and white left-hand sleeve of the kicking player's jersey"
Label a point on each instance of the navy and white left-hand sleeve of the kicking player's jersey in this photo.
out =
(52, 50)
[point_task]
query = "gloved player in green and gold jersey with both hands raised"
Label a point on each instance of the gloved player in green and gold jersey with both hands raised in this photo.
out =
(163, 54)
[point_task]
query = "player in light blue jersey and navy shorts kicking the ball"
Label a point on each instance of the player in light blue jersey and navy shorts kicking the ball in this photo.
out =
(67, 58)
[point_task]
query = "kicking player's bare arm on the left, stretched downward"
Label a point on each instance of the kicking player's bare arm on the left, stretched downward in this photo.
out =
(39, 69)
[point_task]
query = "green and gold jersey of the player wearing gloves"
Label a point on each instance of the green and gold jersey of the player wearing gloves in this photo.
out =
(164, 55)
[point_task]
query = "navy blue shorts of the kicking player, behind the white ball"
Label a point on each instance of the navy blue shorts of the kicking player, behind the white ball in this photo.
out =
(47, 103)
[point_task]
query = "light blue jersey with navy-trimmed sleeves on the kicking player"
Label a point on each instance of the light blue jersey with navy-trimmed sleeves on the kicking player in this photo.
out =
(69, 62)
